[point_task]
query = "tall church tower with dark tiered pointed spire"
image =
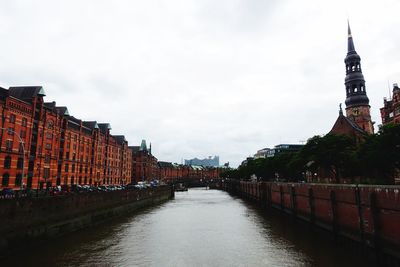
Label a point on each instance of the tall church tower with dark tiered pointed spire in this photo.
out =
(357, 102)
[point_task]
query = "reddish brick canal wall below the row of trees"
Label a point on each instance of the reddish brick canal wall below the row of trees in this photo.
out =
(368, 214)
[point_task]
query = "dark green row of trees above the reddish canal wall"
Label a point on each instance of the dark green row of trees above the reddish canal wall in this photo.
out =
(334, 158)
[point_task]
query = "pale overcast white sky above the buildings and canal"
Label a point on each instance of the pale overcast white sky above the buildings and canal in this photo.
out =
(201, 77)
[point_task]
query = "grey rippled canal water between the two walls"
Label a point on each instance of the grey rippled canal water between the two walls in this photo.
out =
(198, 228)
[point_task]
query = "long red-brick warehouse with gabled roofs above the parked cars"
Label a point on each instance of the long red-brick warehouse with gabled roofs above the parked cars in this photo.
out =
(43, 146)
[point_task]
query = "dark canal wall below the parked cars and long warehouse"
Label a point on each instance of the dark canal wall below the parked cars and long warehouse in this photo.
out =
(28, 220)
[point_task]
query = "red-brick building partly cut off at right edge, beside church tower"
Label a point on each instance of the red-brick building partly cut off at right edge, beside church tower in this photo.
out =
(390, 113)
